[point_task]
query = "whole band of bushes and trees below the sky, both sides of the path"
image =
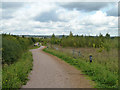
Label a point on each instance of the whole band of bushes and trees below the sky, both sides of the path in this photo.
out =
(13, 46)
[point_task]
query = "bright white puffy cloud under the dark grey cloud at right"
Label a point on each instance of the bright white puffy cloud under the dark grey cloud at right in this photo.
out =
(100, 19)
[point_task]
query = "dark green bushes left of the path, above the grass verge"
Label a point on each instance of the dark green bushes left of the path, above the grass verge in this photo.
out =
(13, 46)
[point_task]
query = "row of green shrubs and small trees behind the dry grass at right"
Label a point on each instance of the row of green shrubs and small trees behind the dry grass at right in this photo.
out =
(103, 42)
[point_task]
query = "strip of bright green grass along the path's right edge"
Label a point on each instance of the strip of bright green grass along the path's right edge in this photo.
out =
(98, 73)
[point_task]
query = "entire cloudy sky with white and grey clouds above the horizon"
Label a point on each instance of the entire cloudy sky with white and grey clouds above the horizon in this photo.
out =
(46, 18)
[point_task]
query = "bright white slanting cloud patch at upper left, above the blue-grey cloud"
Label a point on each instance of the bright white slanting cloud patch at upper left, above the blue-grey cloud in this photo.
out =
(30, 10)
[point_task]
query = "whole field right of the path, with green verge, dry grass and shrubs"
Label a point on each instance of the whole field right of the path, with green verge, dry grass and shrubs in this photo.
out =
(103, 49)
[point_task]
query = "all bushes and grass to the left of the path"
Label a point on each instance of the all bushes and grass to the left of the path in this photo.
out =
(16, 60)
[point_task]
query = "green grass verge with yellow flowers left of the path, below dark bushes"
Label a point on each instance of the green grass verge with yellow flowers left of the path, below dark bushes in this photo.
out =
(15, 75)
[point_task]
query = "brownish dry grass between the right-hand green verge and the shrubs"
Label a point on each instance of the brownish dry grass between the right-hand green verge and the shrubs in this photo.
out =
(108, 59)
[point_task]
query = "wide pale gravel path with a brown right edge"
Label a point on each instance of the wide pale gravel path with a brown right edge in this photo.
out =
(51, 72)
